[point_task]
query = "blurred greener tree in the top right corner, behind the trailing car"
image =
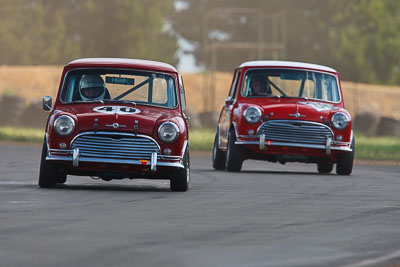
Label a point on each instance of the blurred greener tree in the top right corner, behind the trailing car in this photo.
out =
(364, 40)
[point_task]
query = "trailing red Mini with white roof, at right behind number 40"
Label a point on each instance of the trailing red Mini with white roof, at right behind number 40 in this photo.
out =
(282, 111)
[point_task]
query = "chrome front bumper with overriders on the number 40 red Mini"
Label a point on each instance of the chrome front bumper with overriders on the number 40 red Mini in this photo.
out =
(156, 160)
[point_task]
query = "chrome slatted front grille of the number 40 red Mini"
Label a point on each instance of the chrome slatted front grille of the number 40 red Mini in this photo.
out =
(116, 146)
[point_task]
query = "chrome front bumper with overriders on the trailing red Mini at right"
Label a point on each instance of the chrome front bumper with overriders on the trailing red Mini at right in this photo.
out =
(262, 143)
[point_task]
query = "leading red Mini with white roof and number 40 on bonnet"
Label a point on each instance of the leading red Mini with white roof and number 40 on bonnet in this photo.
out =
(114, 119)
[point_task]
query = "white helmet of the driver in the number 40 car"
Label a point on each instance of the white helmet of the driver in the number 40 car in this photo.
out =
(92, 87)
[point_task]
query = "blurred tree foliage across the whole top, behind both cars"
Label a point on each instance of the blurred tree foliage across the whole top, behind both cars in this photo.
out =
(360, 38)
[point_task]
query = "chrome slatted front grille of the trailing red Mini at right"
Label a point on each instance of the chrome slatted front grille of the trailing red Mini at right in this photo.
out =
(296, 132)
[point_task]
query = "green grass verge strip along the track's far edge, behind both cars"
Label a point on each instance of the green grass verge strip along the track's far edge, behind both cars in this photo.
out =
(367, 148)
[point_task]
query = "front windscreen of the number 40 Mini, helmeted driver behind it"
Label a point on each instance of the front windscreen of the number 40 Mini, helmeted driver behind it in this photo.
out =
(114, 85)
